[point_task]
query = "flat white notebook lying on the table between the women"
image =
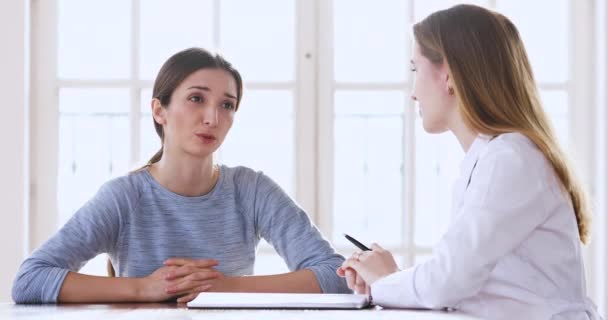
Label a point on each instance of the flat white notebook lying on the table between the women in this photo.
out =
(225, 300)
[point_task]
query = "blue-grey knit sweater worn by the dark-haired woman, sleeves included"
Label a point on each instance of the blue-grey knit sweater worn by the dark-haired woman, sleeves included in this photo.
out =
(139, 223)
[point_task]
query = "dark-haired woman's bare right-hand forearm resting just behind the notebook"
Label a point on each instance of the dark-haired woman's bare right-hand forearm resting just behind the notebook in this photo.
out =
(301, 281)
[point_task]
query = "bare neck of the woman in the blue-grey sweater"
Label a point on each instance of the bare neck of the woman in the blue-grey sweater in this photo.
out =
(185, 175)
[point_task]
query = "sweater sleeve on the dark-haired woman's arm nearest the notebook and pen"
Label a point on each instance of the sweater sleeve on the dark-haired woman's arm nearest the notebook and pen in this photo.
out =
(282, 223)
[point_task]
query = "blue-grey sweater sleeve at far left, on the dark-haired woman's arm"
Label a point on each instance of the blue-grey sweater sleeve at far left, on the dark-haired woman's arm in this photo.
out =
(92, 230)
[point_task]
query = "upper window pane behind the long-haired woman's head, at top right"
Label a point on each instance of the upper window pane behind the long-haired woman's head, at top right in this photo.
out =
(547, 42)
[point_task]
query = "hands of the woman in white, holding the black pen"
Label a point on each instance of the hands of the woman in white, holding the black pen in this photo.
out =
(367, 267)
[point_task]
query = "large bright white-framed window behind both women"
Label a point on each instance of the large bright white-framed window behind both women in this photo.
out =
(326, 111)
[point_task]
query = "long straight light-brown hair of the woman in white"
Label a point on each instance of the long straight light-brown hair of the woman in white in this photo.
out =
(495, 86)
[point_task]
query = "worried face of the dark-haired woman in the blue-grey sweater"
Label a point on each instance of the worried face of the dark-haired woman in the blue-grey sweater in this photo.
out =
(200, 113)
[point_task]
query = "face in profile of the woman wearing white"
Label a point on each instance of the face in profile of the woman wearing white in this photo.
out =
(430, 90)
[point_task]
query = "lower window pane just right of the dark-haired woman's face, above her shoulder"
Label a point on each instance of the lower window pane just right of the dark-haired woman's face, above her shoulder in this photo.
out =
(262, 136)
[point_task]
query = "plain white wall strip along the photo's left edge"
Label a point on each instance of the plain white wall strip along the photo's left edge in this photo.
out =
(14, 161)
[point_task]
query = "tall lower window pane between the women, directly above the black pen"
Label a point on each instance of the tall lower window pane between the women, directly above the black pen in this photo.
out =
(368, 165)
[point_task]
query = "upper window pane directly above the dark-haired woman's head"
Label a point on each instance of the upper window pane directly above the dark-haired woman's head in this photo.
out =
(167, 27)
